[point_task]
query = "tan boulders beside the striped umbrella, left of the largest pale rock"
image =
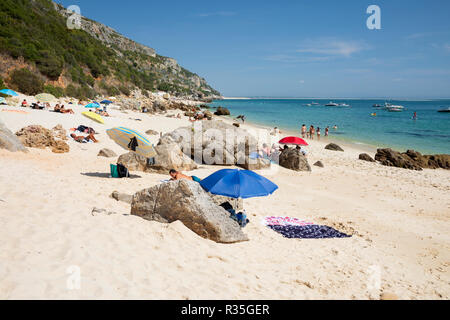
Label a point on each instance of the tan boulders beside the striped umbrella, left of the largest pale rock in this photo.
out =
(168, 156)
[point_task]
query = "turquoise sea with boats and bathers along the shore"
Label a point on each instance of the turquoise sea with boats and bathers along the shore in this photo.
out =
(429, 133)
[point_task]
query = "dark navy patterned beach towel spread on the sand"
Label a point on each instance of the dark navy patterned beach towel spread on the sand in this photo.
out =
(307, 232)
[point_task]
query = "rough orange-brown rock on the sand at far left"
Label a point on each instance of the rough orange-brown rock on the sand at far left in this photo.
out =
(36, 136)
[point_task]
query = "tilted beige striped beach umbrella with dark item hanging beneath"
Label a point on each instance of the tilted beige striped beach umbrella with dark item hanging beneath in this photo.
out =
(124, 138)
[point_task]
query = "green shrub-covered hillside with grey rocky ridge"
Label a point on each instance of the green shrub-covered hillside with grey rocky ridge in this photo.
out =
(94, 59)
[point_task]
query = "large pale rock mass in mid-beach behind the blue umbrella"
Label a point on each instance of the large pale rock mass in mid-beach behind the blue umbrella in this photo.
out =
(213, 142)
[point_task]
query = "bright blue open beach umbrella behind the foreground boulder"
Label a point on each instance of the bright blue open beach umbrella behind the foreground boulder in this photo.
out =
(237, 183)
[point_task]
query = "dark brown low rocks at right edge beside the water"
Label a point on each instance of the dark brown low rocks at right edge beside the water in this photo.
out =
(412, 160)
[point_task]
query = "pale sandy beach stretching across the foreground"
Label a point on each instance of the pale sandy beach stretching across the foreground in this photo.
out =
(400, 220)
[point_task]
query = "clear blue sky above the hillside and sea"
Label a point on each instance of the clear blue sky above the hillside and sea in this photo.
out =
(300, 48)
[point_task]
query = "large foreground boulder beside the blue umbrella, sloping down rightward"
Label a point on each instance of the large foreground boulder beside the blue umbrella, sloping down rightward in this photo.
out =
(187, 202)
